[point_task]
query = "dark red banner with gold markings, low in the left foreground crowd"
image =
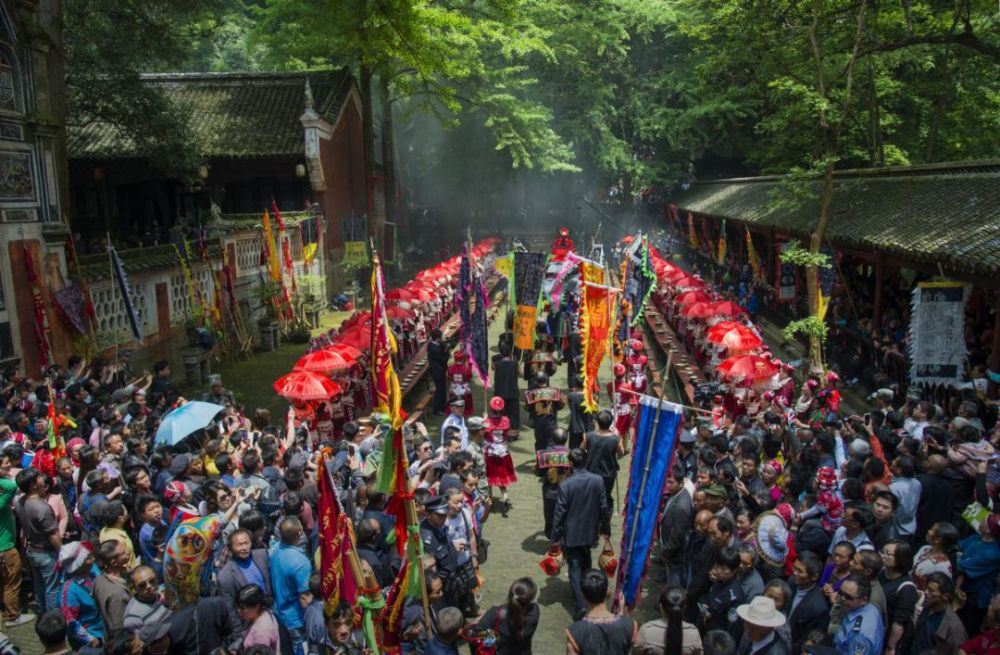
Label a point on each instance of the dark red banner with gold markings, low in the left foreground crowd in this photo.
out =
(335, 538)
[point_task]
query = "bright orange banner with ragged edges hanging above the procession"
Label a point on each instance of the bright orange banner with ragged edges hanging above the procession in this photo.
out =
(595, 328)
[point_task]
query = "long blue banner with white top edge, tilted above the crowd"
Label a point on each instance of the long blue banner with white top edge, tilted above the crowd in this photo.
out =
(655, 439)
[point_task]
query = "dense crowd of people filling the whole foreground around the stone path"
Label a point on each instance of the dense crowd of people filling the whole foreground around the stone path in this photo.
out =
(790, 523)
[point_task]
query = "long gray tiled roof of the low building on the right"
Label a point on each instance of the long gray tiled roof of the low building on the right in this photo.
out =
(947, 213)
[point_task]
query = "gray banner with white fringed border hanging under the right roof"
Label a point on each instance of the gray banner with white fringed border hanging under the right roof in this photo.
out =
(937, 333)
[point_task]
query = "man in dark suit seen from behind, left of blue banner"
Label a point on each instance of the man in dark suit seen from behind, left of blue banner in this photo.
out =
(582, 514)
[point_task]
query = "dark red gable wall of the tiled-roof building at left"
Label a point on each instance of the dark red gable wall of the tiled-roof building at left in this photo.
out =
(344, 172)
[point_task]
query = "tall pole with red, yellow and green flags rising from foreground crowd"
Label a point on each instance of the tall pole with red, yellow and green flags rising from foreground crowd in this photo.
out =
(393, 472)
